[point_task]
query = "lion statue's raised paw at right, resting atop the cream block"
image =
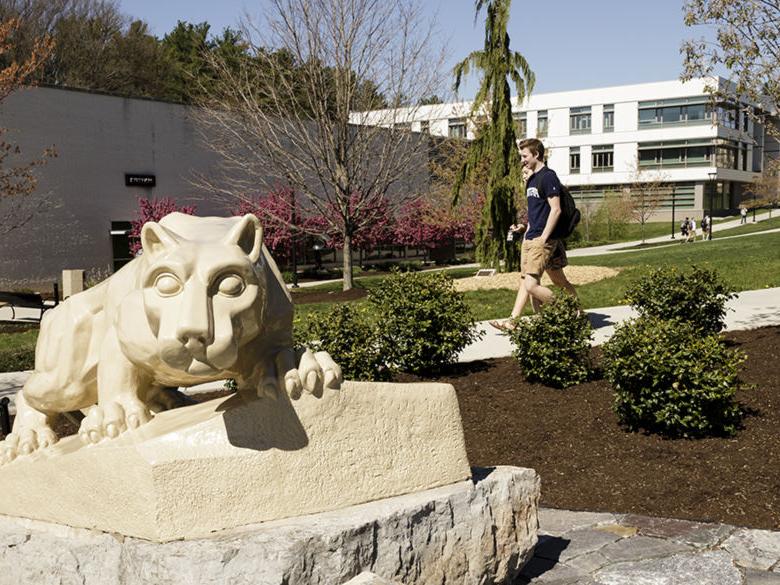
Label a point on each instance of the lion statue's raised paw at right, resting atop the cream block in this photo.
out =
(309, 371)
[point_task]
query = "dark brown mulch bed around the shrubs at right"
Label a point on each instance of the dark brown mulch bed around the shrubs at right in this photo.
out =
(587, 462)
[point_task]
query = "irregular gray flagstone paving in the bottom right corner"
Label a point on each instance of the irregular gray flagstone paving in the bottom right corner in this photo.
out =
(586, 548)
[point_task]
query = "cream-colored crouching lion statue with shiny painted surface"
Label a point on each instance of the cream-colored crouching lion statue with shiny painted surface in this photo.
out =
(205, 301)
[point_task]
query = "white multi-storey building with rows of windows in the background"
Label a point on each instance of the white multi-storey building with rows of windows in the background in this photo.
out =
(604, 139)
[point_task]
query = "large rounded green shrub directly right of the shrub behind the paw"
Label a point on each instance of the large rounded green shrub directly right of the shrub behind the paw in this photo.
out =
(423, 321)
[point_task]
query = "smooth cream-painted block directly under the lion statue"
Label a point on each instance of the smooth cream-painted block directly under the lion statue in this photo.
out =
(236, 461)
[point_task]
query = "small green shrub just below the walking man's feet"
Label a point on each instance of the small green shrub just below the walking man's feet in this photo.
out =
(553, 346)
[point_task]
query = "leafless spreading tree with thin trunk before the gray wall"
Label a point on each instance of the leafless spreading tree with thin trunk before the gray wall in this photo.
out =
(297, 109)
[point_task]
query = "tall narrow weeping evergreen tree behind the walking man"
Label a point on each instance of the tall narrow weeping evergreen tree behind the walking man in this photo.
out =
(496, 140)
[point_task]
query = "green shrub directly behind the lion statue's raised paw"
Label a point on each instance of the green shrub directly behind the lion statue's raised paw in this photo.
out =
(350, 335)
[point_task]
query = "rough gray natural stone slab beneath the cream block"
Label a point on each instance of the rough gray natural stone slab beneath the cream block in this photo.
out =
(478, 531)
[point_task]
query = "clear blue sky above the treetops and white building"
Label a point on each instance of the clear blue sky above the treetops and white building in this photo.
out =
(570, 44)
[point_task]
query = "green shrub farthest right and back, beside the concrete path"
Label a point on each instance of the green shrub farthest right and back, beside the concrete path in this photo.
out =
(696, 297)
